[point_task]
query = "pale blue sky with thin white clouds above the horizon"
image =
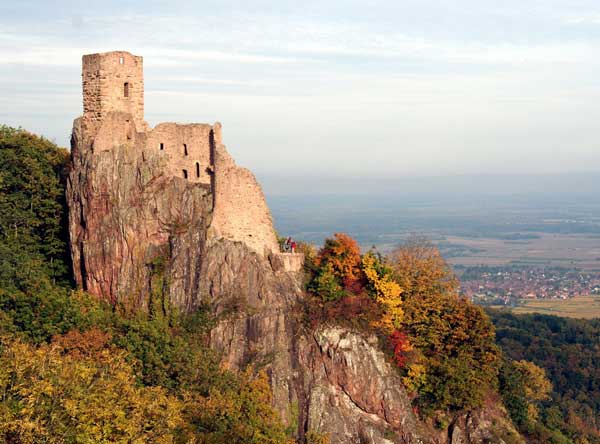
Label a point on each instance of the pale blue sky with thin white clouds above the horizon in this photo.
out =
(332, 88)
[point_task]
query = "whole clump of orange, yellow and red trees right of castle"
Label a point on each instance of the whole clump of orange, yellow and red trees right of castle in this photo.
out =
(443, 344)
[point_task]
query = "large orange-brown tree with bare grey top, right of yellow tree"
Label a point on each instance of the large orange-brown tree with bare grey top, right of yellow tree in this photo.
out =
(454, 340)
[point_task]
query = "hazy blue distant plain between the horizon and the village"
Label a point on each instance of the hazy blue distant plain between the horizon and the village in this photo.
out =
(523, 220)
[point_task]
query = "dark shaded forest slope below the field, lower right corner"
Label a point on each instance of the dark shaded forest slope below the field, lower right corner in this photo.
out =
(569, 352)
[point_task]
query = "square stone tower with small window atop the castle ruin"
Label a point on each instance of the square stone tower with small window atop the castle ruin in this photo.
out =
(113, 81)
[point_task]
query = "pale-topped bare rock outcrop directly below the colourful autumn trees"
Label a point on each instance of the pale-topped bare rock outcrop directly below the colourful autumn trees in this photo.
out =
(353, 392)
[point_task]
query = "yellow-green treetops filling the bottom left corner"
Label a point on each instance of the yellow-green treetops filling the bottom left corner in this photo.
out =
(53, 397)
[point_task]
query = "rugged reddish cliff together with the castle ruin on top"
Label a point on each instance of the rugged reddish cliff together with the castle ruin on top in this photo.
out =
(164, 217)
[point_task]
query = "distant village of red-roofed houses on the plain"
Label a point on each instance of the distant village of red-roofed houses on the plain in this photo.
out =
(507, 285)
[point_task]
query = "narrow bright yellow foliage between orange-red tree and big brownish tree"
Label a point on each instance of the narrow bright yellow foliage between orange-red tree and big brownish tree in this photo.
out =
(387, 294)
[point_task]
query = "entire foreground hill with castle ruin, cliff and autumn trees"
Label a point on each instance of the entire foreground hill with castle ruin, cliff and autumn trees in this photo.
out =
(181, 320)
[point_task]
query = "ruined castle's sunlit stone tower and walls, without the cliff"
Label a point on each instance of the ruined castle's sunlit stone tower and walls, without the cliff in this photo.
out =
(113, 85)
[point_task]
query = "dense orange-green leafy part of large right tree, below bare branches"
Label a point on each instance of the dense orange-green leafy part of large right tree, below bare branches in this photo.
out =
(456, 342)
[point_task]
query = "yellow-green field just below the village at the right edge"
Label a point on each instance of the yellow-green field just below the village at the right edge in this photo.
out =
(581, 307)
